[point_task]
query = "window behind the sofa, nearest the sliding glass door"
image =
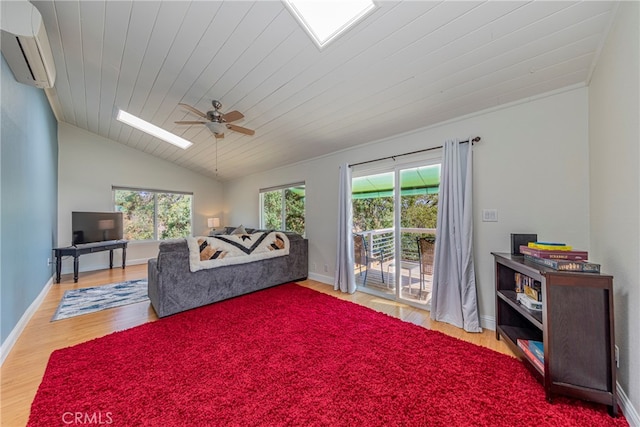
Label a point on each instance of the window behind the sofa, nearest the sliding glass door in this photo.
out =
(282, 208)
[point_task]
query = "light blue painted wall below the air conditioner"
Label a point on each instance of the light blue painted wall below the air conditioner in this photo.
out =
(28, 196)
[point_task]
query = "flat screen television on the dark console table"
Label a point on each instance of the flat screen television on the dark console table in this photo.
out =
(91, 227)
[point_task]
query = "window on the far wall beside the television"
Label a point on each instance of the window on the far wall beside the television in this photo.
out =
(152, 214)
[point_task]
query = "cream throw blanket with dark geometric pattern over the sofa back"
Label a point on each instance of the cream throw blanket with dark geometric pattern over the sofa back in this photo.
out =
(217, 251)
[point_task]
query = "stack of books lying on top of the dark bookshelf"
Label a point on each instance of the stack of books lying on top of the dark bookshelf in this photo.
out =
(558, 256)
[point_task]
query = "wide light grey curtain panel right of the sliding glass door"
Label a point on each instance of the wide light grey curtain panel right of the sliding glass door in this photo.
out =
(454, 296)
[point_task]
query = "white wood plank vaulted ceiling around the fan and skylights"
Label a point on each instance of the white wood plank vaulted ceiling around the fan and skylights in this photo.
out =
(408, 65)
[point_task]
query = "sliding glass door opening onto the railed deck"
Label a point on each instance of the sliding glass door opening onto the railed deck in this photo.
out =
(393, 212)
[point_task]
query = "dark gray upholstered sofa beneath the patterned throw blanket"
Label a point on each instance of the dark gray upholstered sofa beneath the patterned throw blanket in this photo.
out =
(174, 288)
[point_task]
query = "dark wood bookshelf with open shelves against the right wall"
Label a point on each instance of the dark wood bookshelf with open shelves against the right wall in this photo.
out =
(575, 326)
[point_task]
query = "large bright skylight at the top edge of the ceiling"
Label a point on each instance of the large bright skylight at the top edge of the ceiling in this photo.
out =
(325, 20)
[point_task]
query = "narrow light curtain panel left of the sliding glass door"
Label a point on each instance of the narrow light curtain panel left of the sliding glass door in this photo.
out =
(345, 276)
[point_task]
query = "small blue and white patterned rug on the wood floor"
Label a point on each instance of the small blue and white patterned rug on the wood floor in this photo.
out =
(89, 300)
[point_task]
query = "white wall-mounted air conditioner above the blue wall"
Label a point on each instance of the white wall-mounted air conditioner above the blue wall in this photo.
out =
(25, 45)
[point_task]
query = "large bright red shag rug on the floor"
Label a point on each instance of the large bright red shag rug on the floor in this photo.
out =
(293, 356)
